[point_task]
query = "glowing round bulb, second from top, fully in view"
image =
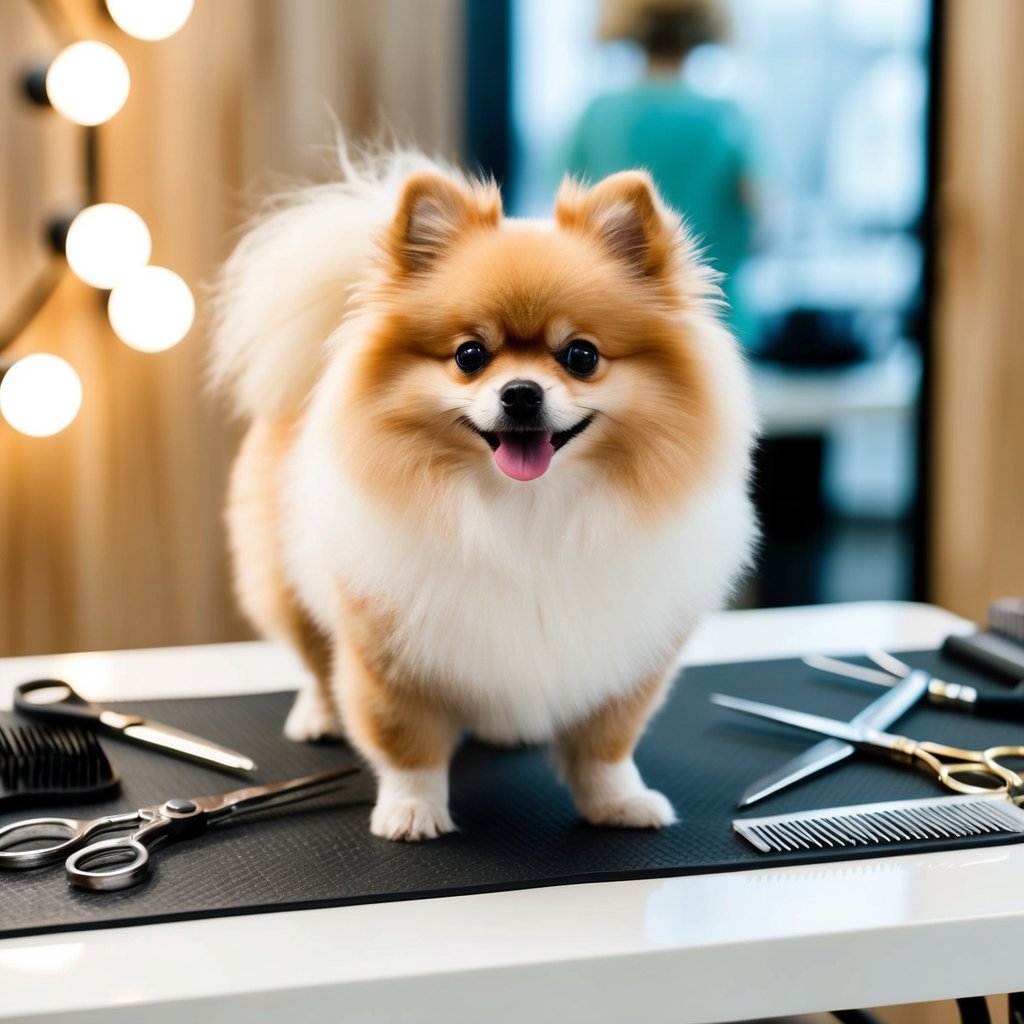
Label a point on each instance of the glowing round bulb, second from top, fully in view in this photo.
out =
(89, 83)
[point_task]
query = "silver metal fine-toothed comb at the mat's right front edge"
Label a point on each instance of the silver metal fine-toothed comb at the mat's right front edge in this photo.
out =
(872, 825)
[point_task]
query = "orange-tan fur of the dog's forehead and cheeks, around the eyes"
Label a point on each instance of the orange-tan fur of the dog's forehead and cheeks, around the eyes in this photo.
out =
(536, 280)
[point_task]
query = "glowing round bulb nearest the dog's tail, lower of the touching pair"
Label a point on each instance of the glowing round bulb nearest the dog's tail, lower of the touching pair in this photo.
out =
(152, 310)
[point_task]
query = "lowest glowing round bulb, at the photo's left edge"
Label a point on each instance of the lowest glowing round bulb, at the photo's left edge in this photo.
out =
(40, 395)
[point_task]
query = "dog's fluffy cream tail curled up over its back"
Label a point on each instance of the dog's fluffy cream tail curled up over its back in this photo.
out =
(286, 288)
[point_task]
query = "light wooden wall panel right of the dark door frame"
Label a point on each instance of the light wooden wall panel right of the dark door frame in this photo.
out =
(978, 425)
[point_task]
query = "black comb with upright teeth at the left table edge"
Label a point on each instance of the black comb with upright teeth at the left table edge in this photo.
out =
(53, 765)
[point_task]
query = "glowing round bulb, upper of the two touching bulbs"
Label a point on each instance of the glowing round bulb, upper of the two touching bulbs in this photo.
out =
(107, 243)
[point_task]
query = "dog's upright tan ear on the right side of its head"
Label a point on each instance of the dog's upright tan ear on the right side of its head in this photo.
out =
(625, 212)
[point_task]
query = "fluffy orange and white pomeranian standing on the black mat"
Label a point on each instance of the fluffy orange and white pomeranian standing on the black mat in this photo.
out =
(496, 471)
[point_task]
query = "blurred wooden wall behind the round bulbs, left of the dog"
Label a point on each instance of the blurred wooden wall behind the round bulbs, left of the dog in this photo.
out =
(111, 533)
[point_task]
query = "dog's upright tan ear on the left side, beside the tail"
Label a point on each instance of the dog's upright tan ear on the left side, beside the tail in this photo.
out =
(435, 212)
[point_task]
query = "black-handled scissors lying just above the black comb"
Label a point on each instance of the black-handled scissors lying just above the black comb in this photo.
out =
(54, 700)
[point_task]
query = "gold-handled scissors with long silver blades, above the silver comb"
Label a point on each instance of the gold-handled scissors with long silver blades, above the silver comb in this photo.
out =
(951, 764)
